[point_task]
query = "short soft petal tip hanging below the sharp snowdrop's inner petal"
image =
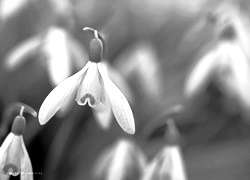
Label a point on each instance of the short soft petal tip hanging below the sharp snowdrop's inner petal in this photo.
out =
(103, 114)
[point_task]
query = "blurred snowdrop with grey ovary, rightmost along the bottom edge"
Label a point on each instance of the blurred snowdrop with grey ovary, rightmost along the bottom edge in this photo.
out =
(168, 163)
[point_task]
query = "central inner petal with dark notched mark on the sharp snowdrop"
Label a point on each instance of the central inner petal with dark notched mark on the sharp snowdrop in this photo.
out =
(91, 87)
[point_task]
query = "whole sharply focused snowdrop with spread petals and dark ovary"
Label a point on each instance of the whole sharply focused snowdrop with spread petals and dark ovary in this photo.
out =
(93, 86)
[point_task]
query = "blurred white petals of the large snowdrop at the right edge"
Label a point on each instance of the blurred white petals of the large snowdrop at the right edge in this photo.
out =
(228, 66)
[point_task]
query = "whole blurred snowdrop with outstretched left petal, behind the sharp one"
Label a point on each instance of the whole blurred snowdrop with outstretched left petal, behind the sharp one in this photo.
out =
(58, 48)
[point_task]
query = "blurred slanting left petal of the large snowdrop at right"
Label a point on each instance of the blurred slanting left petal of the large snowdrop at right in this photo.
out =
(199, 77)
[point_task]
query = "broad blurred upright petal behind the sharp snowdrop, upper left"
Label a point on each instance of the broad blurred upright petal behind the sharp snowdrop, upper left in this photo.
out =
(57, 54)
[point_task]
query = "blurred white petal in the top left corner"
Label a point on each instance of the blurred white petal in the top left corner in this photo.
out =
(10, 8)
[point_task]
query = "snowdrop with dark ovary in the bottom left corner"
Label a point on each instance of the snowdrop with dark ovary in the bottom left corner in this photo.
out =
(14, 158)
